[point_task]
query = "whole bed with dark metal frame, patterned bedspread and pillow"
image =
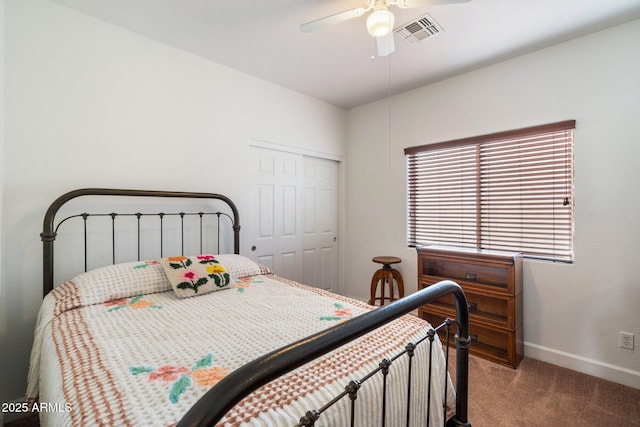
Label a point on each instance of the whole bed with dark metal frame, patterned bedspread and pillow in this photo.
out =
(206, 336)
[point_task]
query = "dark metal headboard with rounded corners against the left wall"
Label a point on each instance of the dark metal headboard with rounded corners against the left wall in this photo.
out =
(49, 229)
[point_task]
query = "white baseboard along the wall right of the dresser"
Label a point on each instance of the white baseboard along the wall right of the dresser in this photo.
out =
(585, 365)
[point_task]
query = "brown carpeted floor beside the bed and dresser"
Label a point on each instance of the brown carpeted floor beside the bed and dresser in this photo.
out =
(536, 394)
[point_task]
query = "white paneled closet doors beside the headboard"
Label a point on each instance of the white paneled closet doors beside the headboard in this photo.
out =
(295, 216)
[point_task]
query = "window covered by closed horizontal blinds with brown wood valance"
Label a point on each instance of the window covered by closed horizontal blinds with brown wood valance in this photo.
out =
(509, 191)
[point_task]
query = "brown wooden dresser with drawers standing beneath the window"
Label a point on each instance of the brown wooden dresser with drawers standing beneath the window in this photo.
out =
(492, 283)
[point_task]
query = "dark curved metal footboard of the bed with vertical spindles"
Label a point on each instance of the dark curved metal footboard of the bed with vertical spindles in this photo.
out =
(232, 389)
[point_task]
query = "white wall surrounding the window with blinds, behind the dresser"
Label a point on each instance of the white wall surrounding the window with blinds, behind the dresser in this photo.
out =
(572, 313)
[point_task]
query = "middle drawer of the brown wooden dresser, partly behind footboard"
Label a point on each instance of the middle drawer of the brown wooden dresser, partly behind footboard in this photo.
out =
(491, 309)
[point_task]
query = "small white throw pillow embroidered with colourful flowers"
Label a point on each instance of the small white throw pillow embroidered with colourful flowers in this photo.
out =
(195, 275)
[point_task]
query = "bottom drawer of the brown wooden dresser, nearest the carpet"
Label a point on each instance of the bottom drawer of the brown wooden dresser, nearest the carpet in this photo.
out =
(492, 344)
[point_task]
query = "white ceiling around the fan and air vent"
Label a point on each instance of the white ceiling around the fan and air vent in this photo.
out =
(262, 38)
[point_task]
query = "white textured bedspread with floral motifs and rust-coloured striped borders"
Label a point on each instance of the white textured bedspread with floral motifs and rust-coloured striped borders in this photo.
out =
(117, 347)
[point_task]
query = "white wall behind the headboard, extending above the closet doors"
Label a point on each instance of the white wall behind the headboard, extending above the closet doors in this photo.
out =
(89, 104)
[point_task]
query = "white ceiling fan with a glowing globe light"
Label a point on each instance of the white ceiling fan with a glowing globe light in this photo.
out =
(379, 22)
